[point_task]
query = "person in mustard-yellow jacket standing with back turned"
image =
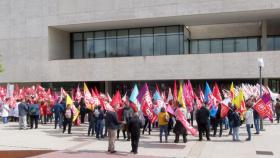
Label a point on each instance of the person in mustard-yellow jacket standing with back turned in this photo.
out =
(163, 119)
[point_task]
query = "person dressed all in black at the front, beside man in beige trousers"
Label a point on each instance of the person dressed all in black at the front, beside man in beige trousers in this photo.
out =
(133, 126)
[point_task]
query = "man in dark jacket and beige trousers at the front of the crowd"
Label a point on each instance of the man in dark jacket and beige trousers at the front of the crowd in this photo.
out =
(112, 125)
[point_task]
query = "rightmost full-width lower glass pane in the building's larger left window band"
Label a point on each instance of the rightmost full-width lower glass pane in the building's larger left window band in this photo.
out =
(173, 44)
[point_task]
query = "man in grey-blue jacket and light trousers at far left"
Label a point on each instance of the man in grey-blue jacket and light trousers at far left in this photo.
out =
(23, 110)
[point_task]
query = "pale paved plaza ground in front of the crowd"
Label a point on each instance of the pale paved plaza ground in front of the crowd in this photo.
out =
(80, 145)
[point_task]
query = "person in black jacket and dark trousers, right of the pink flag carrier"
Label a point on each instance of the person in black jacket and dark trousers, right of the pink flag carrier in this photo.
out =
(202, 119)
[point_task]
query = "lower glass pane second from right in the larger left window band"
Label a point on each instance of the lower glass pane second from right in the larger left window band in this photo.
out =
(159, 45)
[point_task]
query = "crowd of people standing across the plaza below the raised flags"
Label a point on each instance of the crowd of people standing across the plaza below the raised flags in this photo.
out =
(101, 123)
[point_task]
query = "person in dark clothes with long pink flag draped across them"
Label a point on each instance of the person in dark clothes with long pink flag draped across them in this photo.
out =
(179, 129)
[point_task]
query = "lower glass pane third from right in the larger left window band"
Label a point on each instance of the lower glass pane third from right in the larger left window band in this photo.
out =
(147, 45)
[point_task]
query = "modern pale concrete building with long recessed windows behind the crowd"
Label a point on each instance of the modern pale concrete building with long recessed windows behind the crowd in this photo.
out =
(112, 42)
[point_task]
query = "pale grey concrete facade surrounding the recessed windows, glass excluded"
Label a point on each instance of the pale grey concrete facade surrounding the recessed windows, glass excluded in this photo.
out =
(34, 39)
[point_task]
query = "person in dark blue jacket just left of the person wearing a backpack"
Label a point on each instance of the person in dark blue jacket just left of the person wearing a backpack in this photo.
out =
(58, 114)
